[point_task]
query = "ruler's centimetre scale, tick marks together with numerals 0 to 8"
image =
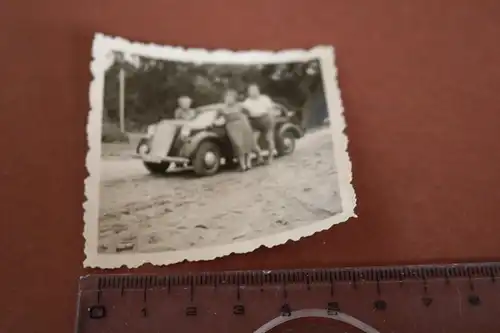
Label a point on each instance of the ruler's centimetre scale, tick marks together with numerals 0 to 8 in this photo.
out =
(353, 276)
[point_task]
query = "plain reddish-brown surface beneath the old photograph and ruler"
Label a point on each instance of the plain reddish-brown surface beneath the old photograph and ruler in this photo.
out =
(420, 82)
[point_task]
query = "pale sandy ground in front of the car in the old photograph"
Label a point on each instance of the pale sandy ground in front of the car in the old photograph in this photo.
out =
(140, 212)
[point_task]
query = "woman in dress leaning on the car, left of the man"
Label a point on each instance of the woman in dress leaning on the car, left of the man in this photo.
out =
(238, 129)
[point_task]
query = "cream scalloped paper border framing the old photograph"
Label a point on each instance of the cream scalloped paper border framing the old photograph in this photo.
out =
(101, 49)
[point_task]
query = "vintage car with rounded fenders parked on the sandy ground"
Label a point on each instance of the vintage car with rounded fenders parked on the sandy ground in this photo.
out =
(202, 143)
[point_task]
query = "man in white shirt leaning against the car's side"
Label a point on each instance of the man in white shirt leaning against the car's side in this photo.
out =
(259, 108)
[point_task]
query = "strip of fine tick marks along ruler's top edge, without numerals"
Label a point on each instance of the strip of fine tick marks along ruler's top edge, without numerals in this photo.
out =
(283, 277)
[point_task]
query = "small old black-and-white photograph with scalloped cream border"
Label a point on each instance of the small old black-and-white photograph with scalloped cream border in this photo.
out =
(197, 154)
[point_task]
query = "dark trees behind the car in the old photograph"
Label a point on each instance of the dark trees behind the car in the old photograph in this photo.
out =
(154, 85)
